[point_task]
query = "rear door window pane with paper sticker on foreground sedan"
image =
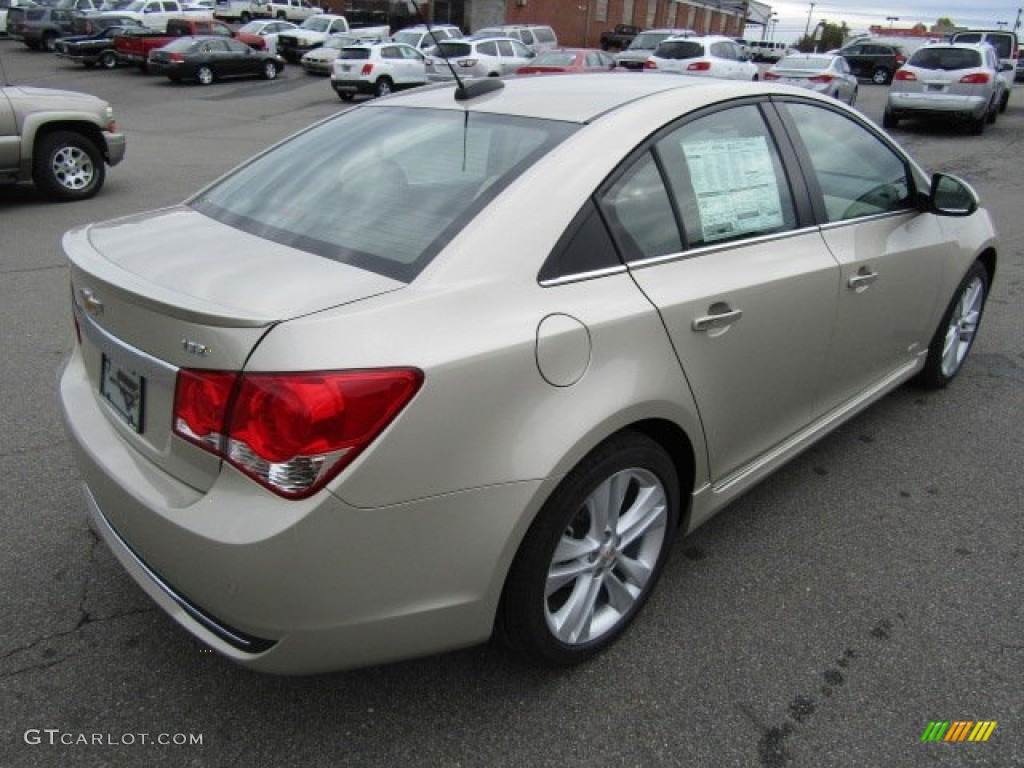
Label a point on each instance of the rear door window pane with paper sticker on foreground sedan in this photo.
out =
(728, 179)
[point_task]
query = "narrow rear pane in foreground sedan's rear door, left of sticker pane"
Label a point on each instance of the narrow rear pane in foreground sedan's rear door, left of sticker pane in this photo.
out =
(638, 210)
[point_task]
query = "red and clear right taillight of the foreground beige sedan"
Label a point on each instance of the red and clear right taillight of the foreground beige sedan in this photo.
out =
(290, 433)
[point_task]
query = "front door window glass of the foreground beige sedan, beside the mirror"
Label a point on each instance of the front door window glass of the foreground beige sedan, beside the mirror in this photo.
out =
(859, 175)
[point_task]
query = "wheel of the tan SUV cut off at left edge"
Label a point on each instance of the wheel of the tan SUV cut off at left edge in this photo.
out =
(68, 166)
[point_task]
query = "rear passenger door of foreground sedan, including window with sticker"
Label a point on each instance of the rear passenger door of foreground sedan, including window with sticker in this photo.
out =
(746, 286)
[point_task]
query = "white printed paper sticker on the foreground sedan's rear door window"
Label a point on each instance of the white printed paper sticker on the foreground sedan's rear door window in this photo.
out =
(736, 187)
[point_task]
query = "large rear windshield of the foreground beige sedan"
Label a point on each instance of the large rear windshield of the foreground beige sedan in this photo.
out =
(383, 189)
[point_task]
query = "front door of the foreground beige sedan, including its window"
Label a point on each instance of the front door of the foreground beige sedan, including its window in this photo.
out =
(891, 257)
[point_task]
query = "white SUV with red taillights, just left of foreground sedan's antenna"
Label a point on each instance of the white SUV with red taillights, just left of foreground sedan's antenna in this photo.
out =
(377, 69)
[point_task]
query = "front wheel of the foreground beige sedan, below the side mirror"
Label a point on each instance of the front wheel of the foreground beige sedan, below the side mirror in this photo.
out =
(958, 330)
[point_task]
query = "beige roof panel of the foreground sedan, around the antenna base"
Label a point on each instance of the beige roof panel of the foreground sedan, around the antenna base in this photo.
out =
(575, 99)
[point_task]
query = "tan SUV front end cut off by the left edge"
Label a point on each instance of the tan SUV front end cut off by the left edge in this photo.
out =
(60, 140)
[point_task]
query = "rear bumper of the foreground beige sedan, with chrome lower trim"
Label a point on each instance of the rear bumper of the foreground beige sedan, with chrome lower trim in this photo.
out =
(296, 587)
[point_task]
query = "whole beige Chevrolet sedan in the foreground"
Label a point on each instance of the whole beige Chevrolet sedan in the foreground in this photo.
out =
(466, 362)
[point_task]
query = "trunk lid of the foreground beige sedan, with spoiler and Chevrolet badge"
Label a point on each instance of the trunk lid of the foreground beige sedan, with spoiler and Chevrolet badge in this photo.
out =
(170, 290)
